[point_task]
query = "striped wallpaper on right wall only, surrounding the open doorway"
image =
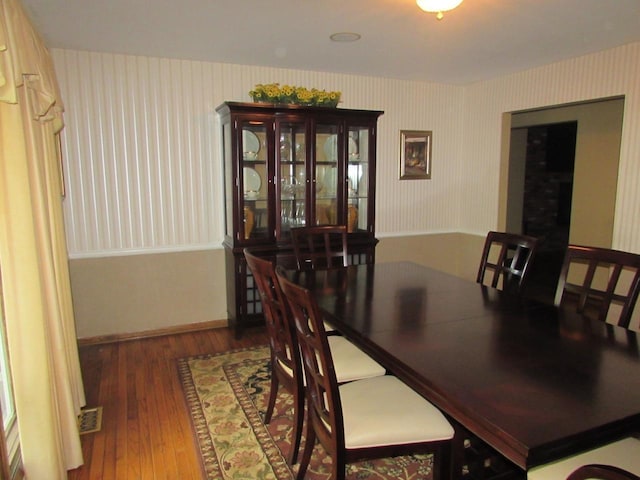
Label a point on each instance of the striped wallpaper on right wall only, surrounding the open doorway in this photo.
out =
(606, 74)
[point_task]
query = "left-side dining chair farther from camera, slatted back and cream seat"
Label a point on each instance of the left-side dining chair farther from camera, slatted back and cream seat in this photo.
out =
(286, 369)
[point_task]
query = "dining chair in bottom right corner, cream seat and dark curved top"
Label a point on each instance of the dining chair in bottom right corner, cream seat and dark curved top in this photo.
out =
(623, 454)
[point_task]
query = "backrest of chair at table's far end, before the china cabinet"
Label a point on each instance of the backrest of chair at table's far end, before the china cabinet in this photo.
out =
(321, 246)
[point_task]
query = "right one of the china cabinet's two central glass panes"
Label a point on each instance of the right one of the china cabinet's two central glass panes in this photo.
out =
(327, 175)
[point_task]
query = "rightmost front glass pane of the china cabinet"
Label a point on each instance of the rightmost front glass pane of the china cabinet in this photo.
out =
(357, 179)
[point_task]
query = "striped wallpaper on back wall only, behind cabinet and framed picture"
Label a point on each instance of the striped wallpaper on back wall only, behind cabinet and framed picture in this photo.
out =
(143, 160)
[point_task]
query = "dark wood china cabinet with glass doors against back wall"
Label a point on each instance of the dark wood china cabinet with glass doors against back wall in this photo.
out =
(287, 166)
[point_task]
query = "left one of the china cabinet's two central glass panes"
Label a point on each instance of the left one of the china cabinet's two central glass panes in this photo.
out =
(293, 180)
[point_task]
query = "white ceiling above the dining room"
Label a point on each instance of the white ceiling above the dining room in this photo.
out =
(479, 40)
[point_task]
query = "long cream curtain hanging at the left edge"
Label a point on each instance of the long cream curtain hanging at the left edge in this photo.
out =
(33, 257)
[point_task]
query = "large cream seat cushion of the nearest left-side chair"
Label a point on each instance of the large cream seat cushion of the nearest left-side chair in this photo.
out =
(384, 411)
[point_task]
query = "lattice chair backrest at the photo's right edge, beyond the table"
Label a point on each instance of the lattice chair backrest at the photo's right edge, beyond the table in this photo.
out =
(609, 263)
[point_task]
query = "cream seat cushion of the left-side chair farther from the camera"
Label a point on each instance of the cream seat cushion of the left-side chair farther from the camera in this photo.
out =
(351, 363)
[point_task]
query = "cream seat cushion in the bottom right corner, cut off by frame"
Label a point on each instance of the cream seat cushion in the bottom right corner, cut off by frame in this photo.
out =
(624, 454)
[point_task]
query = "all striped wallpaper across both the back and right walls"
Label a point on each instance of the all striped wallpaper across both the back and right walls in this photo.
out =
(143, 162)
